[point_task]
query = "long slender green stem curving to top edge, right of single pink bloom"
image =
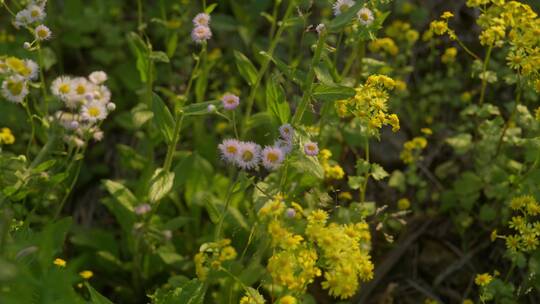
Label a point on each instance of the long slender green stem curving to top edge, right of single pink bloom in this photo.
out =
(264, 67)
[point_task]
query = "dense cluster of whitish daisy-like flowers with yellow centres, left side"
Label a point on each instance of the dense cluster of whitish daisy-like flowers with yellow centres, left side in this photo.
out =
(88, 102)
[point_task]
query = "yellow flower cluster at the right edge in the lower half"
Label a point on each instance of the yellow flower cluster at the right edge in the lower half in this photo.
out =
(526, 224)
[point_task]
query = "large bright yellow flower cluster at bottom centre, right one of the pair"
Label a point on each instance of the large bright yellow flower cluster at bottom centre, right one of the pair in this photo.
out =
(345, 253)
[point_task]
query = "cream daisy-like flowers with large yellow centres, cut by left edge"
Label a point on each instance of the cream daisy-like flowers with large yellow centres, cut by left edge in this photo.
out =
(17, 74)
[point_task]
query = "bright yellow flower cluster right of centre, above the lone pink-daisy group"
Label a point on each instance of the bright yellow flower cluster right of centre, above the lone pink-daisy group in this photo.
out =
(370, 103)
